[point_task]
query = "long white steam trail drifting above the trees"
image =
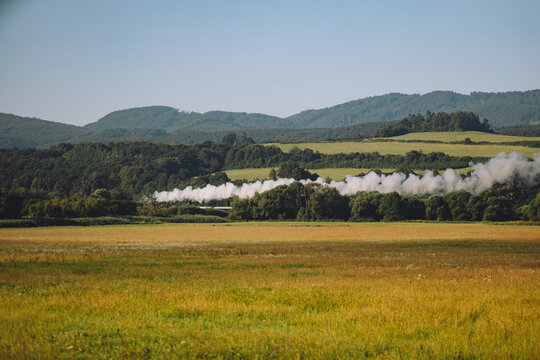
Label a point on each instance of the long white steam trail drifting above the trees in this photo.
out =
(499, 169)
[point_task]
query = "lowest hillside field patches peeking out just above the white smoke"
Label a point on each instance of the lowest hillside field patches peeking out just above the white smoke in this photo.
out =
(337, 174)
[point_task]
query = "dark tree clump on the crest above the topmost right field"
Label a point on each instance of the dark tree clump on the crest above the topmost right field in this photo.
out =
(456, 121)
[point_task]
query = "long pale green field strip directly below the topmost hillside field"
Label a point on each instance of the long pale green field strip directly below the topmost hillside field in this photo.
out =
(401, 148)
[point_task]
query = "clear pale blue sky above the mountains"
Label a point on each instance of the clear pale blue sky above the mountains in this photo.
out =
(75, 61)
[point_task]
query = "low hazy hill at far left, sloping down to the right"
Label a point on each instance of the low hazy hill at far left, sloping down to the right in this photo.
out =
(24, 132)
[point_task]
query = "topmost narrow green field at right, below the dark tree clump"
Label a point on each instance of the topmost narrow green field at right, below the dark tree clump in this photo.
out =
(475, 136)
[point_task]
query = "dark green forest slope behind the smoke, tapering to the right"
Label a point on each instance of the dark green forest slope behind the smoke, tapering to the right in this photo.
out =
(140, 168)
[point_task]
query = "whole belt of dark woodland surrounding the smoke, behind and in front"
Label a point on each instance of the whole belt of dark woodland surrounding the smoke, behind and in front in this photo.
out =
(97, 180)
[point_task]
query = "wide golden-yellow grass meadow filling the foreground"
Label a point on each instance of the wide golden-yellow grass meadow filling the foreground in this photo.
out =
(271, 290)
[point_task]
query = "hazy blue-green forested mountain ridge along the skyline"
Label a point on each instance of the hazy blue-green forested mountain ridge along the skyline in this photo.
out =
(347, 120)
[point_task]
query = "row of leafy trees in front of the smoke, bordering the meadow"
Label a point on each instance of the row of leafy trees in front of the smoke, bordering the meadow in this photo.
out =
(314, 202)
